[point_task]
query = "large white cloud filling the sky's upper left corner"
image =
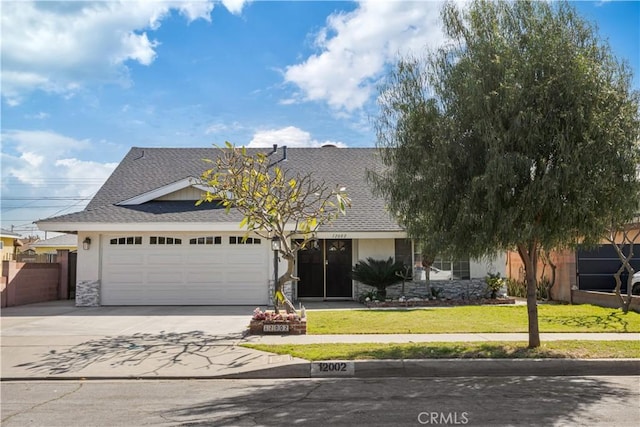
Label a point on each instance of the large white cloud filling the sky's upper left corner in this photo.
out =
(60, 46)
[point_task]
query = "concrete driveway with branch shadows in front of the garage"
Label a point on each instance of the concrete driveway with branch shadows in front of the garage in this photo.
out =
(59, 340)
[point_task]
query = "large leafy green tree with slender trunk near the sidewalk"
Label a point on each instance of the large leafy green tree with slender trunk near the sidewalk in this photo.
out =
(521, 132)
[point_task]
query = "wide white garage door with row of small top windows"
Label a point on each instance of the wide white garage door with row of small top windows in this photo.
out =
(165, 269)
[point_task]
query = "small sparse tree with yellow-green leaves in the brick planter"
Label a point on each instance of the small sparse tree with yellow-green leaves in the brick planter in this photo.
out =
(274, 203)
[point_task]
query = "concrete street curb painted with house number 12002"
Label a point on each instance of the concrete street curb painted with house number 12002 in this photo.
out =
(412, 368)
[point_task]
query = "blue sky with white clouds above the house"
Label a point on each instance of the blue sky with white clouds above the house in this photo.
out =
(82, 82)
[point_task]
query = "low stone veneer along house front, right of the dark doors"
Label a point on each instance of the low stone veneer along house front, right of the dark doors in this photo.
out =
(449, 289)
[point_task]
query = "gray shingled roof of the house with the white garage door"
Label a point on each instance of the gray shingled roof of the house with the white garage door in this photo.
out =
(146, 169)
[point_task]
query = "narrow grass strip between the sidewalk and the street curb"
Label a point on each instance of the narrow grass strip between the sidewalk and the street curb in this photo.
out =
(442, 350)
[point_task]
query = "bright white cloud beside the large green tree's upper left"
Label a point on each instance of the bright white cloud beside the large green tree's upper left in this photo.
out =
(354, 49)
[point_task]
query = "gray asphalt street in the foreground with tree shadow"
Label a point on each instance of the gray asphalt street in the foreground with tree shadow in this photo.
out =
(472, 401)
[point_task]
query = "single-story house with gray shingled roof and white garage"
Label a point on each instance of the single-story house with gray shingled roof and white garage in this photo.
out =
(145, 242)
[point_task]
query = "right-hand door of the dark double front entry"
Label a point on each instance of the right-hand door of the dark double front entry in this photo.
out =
(338, 269)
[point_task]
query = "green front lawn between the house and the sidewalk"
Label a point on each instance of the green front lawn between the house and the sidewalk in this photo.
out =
(478, 319)
